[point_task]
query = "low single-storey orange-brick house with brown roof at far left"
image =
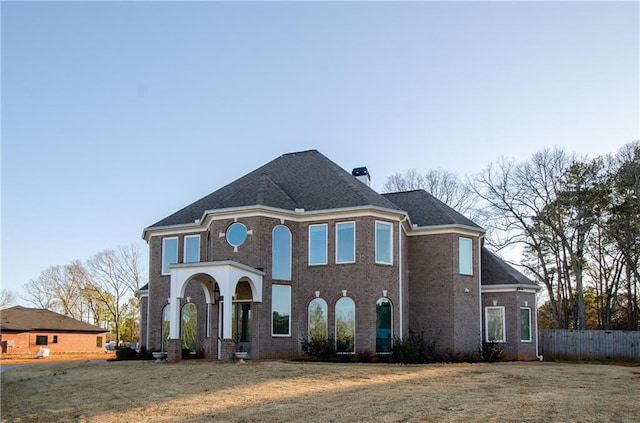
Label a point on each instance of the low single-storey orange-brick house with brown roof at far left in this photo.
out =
(26, 330)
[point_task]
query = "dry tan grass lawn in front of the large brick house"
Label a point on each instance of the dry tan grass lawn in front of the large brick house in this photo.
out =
(274, 391)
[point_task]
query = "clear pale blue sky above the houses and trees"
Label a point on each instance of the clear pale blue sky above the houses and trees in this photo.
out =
(115, 115)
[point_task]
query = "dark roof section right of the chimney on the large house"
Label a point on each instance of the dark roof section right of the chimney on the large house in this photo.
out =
(426, 210)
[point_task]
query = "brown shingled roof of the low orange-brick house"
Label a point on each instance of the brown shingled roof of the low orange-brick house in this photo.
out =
(25, 319)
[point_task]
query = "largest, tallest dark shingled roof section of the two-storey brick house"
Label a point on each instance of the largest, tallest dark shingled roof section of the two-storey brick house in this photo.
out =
(304, 180)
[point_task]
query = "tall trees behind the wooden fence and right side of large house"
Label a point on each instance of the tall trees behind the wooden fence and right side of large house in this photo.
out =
(575, 219)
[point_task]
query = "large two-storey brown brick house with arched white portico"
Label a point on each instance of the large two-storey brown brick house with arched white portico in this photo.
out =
(300, 248)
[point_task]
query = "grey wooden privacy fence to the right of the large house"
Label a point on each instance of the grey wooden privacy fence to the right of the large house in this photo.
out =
(613, 345)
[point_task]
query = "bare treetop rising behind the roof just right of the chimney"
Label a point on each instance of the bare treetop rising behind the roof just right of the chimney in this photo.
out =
(445, 186)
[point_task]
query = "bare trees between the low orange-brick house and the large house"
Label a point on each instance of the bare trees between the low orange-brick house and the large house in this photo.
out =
(100, 291)
